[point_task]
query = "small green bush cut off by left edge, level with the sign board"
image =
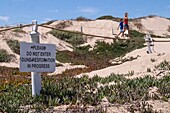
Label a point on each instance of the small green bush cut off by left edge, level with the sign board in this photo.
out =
(5, 57)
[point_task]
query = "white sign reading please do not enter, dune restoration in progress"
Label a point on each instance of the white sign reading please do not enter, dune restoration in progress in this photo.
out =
(35, 57)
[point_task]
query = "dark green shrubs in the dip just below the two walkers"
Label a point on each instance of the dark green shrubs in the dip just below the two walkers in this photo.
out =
(119, 48)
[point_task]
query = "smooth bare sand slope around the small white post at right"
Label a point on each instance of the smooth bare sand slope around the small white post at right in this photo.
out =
(139, 66)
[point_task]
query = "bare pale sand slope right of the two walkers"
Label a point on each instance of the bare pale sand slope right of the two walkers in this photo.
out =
(155, 25)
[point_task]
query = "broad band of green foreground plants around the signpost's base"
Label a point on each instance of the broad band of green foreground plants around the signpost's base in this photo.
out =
(81, 91)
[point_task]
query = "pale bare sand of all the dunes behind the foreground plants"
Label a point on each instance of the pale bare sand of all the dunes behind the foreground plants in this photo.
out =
(157, 25)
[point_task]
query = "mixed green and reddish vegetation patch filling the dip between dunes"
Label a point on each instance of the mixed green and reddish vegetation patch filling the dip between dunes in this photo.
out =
(101, 54)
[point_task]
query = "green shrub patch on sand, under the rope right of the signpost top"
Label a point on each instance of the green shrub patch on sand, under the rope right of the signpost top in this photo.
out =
(72, 38)
